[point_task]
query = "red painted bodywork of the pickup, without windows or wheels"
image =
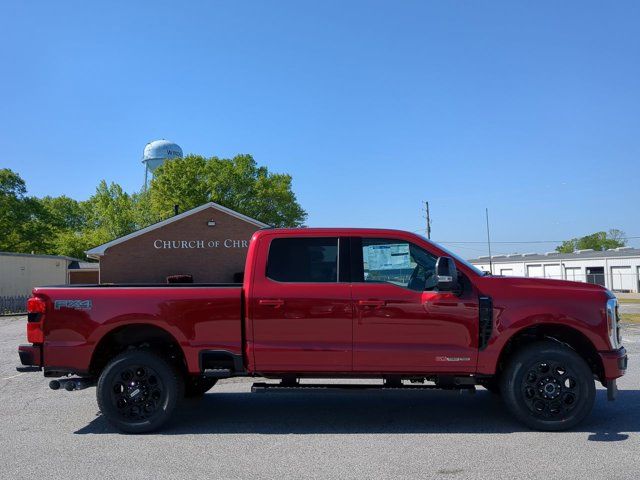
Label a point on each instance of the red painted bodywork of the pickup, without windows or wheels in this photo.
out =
(342, 328)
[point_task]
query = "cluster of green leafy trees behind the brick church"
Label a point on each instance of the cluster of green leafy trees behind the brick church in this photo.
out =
(64, 226)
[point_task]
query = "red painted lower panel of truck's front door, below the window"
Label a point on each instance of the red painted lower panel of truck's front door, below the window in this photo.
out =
(413, 331)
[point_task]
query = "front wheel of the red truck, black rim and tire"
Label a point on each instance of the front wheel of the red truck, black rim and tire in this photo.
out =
(548, 386)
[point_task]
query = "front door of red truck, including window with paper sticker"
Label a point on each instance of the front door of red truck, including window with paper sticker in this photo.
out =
(401, 324)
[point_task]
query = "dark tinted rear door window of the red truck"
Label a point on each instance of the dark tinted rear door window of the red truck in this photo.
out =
(303, 260)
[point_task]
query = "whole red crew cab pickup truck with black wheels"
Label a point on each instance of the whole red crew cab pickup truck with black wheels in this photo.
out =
(384, 305)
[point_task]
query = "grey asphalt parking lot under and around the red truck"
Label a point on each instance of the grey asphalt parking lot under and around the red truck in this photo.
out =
(233, 434)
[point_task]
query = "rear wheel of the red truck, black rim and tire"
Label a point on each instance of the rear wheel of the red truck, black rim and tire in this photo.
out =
(138, 390)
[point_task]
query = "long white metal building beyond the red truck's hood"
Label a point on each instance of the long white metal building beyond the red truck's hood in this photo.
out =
(617, 269)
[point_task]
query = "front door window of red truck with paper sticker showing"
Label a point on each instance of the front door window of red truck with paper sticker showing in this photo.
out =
(398, 262)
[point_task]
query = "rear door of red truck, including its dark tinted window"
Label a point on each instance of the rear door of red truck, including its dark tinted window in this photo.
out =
(301, 313)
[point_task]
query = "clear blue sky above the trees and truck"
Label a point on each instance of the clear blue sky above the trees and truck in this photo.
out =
(531, 109)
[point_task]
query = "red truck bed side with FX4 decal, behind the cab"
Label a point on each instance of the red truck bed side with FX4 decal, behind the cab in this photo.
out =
(199, 317)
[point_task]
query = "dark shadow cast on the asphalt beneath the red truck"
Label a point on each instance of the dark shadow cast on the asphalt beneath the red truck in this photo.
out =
(376, 412)
